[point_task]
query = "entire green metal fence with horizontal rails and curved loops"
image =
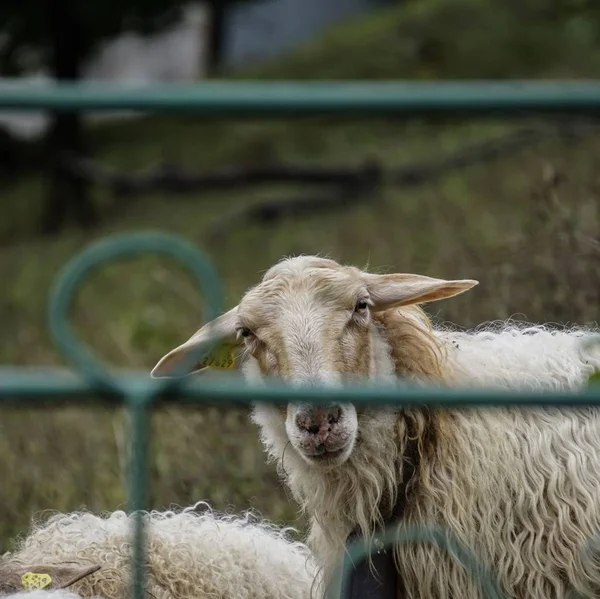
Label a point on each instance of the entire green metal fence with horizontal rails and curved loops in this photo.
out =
(139, 393)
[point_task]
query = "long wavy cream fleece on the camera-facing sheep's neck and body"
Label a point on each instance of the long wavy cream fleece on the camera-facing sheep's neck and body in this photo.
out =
(520, 487)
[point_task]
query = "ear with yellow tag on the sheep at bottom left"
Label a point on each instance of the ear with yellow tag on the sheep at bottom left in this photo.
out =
(41, 576)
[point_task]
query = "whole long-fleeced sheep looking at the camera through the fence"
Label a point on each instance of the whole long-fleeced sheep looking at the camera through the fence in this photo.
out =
(520, 487)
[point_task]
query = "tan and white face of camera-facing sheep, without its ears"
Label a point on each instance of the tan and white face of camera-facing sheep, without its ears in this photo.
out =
(310, 325)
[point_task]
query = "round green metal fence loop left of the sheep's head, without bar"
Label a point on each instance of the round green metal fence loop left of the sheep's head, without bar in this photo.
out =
(93, 258)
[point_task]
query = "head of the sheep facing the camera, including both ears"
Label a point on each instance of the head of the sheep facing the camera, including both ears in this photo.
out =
(312, 321)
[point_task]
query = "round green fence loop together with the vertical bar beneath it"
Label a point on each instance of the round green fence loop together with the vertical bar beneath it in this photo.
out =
(139, 397)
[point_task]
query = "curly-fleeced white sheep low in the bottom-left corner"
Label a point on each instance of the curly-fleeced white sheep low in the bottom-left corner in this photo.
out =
(191, 554)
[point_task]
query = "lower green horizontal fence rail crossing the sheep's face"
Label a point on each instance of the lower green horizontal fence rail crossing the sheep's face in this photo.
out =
(59, 387)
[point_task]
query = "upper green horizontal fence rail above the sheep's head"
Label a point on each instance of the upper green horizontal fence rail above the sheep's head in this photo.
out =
(282, 98)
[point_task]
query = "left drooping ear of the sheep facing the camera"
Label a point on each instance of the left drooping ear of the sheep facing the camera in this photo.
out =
(177, 363)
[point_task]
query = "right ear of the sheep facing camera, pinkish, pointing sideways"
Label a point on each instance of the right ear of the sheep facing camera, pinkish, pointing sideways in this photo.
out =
(392, 291)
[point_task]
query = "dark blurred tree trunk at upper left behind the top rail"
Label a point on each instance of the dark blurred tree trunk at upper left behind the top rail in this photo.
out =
(66, 192)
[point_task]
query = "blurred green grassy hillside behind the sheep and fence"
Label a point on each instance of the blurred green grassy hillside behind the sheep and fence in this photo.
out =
(526, 226)
